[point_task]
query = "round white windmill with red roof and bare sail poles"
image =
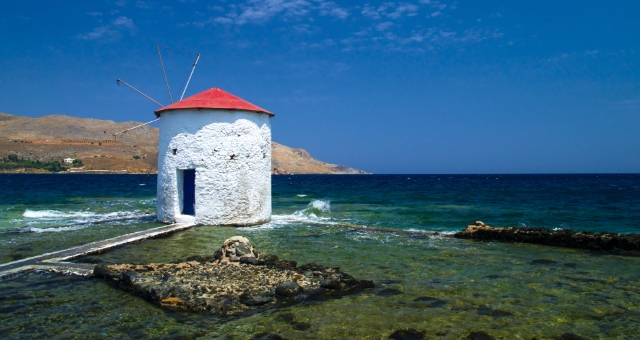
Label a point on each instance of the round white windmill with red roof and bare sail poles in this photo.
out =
(214, 157)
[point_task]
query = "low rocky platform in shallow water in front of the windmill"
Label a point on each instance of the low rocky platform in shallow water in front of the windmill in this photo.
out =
(236, 280)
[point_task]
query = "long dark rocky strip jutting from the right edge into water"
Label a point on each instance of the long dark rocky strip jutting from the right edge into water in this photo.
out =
(552, 237)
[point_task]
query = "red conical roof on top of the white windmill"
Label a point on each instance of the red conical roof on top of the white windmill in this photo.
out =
(214, 98)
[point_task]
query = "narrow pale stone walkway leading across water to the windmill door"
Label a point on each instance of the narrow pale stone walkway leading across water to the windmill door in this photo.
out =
(55, 261)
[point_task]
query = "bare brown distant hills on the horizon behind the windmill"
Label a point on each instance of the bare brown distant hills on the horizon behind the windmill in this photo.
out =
(57, 137)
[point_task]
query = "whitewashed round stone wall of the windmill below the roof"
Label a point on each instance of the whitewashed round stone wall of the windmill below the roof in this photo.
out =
(231, 152)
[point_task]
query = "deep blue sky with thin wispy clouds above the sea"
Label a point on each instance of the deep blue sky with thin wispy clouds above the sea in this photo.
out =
(427, 86)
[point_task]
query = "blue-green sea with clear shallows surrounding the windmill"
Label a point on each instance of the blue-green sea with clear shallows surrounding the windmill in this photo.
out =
(445, 287)
